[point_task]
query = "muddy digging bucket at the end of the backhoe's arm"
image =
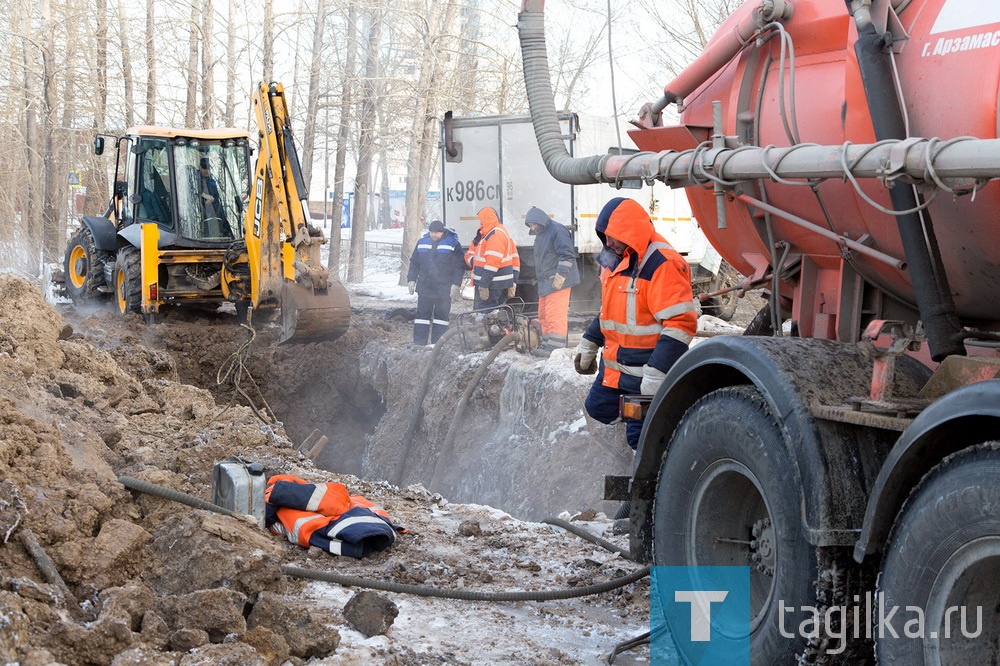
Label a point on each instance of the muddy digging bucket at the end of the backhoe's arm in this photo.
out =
(313, 316)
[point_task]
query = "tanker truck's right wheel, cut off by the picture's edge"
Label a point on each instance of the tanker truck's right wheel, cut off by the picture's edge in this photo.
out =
(943, 556)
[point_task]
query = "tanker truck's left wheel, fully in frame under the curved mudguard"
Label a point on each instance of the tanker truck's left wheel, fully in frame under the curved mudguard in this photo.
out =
(728, 495)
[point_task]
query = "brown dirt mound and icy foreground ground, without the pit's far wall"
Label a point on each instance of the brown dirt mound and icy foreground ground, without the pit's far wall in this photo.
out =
(136, 579)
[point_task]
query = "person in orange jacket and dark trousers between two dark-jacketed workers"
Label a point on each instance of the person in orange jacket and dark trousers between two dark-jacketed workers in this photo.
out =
(494, 262)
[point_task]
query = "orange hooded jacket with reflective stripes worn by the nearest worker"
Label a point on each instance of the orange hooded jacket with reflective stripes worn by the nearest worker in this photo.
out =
(648, 316)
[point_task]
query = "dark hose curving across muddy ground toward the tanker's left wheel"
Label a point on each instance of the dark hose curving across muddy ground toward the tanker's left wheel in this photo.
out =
(466, 595)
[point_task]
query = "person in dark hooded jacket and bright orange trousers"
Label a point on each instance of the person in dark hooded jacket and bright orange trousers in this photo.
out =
(556, 272)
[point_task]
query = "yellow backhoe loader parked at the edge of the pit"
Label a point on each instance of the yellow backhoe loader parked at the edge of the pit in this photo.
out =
(189, 222)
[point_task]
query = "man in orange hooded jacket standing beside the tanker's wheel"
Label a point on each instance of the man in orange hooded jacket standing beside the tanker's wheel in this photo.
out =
(647, 318)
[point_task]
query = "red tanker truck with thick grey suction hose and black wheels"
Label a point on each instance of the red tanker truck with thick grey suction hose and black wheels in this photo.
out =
(847, 449)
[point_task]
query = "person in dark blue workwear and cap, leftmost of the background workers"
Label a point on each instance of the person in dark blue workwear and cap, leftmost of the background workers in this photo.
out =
(436, 269)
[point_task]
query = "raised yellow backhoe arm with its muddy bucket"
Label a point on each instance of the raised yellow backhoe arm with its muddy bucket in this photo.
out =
(286, 269)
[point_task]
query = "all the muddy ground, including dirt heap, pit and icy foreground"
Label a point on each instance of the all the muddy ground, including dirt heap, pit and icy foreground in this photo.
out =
(88, 397)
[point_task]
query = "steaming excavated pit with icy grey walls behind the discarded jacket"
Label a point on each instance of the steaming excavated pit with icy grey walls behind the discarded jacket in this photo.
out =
(521, 444)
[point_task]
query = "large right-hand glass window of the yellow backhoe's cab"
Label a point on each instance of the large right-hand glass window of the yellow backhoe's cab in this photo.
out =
(212, 188)
